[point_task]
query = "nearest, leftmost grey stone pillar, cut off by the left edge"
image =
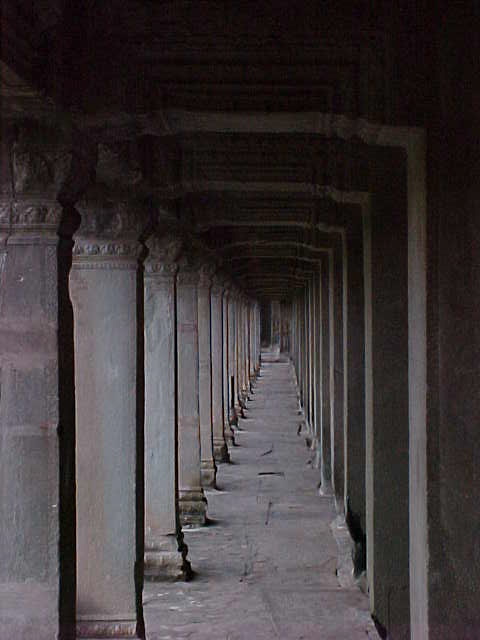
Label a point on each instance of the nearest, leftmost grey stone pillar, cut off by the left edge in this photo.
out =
(30, 388)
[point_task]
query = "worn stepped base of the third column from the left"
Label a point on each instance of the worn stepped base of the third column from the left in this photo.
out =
(167, 560)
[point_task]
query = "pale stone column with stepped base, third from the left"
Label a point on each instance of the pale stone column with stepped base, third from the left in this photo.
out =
(165, 551)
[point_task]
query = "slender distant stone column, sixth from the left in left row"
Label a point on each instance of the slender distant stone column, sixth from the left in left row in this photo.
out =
(220, 449)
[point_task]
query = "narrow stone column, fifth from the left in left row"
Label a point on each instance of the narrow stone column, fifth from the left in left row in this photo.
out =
(208, 467)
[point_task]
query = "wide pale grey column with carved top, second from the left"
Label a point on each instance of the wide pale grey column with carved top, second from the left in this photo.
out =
(103, 286)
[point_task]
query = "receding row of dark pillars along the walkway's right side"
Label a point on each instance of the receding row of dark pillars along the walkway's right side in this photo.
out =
(349, 346)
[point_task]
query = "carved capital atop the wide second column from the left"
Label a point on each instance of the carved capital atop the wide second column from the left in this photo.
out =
(109, 232)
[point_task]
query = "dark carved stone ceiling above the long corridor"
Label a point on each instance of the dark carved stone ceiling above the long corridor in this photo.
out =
(246, 121)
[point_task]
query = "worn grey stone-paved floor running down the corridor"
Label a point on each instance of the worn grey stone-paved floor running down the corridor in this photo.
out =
(266, 564)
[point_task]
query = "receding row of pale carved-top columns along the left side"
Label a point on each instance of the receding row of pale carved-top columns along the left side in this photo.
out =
(161, 352)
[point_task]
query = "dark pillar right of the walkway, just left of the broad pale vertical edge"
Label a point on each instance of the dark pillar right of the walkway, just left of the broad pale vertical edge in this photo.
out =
(387, 402)
